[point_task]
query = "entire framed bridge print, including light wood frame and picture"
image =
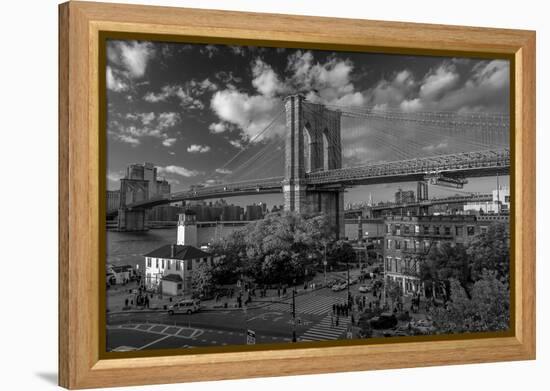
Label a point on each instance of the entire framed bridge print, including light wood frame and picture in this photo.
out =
(247, 195)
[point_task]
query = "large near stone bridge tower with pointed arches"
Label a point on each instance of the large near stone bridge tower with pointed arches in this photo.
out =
(313, 144)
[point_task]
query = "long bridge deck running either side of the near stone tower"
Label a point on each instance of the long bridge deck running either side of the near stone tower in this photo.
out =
(470, 164)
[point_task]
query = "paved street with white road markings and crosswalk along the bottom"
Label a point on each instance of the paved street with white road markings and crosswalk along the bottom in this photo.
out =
(271, 322)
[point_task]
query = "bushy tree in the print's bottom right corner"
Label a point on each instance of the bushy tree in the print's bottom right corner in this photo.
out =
(487, 308)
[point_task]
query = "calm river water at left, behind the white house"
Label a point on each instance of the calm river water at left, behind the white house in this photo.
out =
(128, 248)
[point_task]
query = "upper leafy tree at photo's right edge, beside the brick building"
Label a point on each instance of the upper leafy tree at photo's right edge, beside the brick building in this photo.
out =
(491, 251)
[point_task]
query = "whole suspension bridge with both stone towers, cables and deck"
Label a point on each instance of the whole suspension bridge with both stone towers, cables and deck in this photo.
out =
(311, 153)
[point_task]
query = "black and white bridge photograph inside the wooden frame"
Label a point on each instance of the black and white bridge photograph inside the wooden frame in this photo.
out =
(271, 195)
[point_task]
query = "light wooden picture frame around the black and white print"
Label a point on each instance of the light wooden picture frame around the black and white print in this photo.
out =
(81, 363)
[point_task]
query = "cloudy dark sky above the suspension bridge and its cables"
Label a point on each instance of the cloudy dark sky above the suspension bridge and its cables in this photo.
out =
(190, 108)
